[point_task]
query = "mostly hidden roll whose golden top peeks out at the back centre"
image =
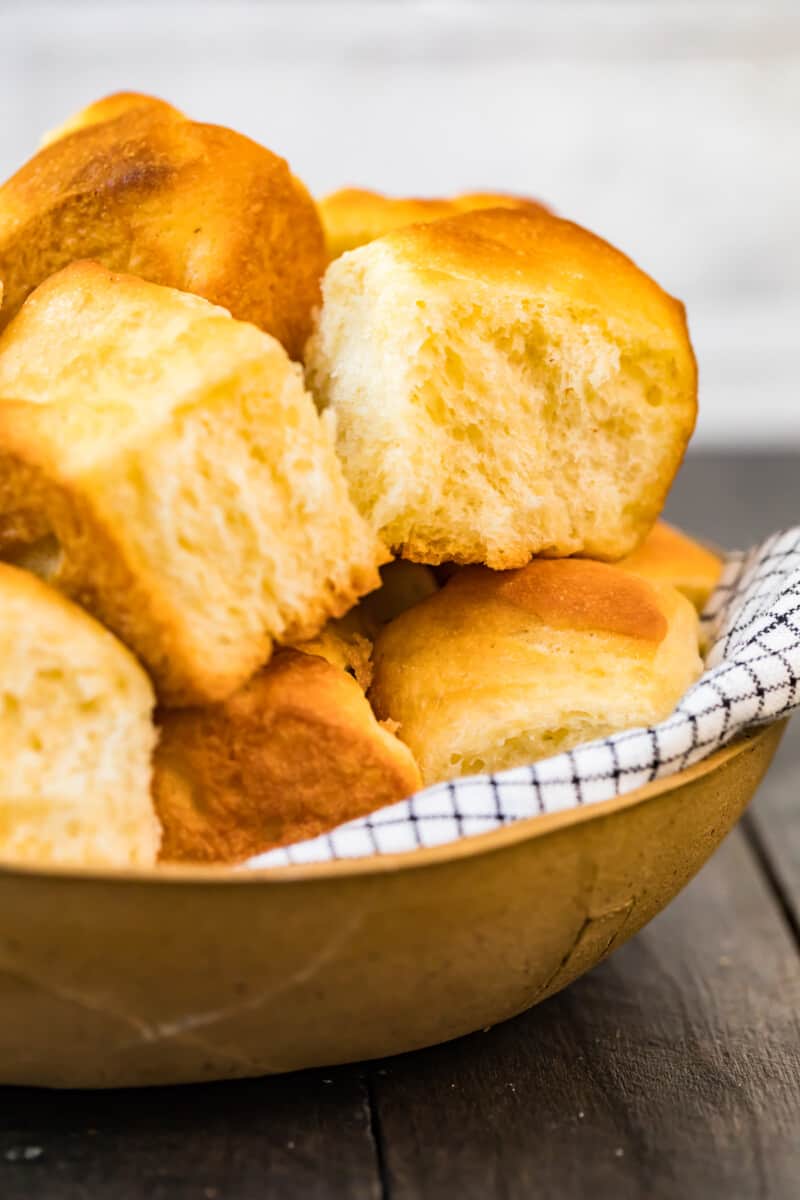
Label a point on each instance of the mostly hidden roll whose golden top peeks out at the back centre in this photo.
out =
(354, 217)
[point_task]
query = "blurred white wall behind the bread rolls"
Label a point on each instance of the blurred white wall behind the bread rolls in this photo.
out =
(672, 128)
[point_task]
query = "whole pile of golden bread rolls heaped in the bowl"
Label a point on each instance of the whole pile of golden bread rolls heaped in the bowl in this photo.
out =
(306, 506)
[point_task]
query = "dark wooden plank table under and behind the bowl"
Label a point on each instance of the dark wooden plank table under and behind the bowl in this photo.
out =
(672, 1071)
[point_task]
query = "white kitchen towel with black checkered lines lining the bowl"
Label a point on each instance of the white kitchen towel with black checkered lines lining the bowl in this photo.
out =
(753, 625)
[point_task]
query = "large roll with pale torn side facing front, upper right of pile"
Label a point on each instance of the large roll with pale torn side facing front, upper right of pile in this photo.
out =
(504, 385)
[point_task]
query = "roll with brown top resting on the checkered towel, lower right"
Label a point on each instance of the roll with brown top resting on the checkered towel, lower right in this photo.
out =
(502, 669)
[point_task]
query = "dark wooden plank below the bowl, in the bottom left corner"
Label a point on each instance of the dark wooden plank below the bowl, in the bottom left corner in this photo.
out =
(303, 1136)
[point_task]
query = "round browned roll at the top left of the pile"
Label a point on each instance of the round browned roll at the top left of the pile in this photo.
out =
(195, 207)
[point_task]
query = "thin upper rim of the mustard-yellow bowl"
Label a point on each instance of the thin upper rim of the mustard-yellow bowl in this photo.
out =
(495, 841)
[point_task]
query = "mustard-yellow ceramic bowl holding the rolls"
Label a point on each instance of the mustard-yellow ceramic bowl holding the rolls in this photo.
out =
(191, 974)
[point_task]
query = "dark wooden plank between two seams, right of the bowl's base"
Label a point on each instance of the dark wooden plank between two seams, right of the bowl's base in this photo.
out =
(671, 1071)
